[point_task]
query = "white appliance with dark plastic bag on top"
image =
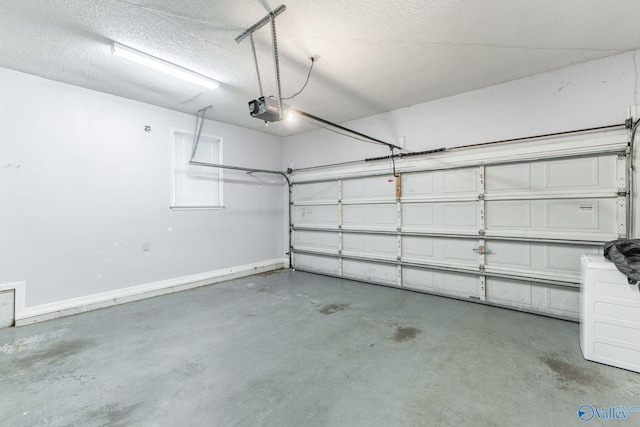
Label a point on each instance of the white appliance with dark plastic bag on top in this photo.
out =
(609, 315)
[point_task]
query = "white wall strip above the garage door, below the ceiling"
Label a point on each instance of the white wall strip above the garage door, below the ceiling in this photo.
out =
(586, 95)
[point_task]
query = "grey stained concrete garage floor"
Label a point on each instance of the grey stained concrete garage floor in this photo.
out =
(298, 349)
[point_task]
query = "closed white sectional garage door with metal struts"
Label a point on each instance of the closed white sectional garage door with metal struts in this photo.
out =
(502, 228)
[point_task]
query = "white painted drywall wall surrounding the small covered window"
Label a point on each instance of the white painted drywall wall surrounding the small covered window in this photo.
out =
(84, 186)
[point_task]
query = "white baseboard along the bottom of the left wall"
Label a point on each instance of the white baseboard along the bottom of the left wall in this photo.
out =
(40, 313)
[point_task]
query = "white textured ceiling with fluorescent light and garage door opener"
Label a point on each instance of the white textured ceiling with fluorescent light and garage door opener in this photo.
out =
(376, 55)
